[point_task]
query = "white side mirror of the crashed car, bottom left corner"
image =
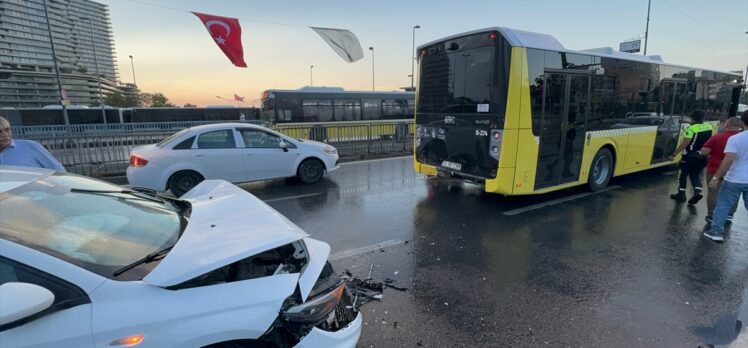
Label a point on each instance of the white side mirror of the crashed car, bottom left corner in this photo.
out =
(21, 300)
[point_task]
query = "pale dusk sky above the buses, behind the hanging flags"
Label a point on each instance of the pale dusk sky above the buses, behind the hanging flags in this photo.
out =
(174, 54)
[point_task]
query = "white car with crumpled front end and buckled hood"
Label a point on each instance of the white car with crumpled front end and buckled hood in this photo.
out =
(88, 264)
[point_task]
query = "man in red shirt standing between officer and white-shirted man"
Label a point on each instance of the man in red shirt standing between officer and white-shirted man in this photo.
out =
(715, 149)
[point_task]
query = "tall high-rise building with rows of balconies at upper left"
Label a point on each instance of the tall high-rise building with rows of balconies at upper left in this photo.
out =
(81, 29)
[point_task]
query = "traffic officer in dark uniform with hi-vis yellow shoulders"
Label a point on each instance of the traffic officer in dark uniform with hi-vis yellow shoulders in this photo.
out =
(692, 162)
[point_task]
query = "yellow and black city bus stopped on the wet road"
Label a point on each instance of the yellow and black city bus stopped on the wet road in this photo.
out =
(520, 114)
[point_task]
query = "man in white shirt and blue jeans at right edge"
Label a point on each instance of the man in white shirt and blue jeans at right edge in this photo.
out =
(734, 173)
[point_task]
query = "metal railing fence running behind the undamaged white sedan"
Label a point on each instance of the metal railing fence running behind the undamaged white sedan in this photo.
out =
(104, 149)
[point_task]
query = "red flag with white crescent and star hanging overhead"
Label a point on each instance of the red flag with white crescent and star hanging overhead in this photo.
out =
(227, 34)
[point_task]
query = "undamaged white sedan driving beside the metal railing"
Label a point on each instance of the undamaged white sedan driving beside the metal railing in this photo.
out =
(235, 152)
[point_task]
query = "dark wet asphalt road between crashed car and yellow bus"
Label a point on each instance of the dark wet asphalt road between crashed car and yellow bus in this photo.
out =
(622, 268)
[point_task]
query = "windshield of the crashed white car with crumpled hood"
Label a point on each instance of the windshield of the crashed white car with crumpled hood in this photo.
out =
(100, 232)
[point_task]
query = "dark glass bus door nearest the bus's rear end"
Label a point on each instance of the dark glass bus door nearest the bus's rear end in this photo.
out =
(566, 101)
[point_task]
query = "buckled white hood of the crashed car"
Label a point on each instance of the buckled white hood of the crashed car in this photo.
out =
(227, 224)
